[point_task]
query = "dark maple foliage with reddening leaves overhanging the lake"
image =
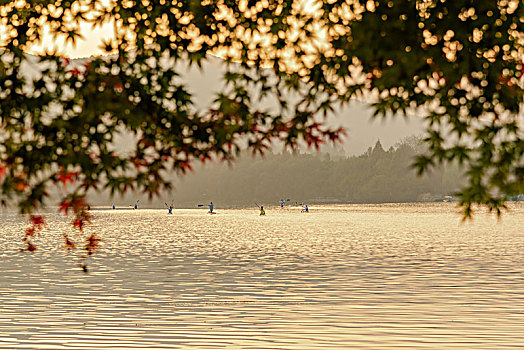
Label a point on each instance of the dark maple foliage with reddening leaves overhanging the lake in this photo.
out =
(458, 64)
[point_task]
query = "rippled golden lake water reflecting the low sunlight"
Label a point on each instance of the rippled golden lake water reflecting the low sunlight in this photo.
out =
(341, 277)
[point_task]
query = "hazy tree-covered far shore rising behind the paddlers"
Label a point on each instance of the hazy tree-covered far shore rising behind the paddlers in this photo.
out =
(375, 176)
